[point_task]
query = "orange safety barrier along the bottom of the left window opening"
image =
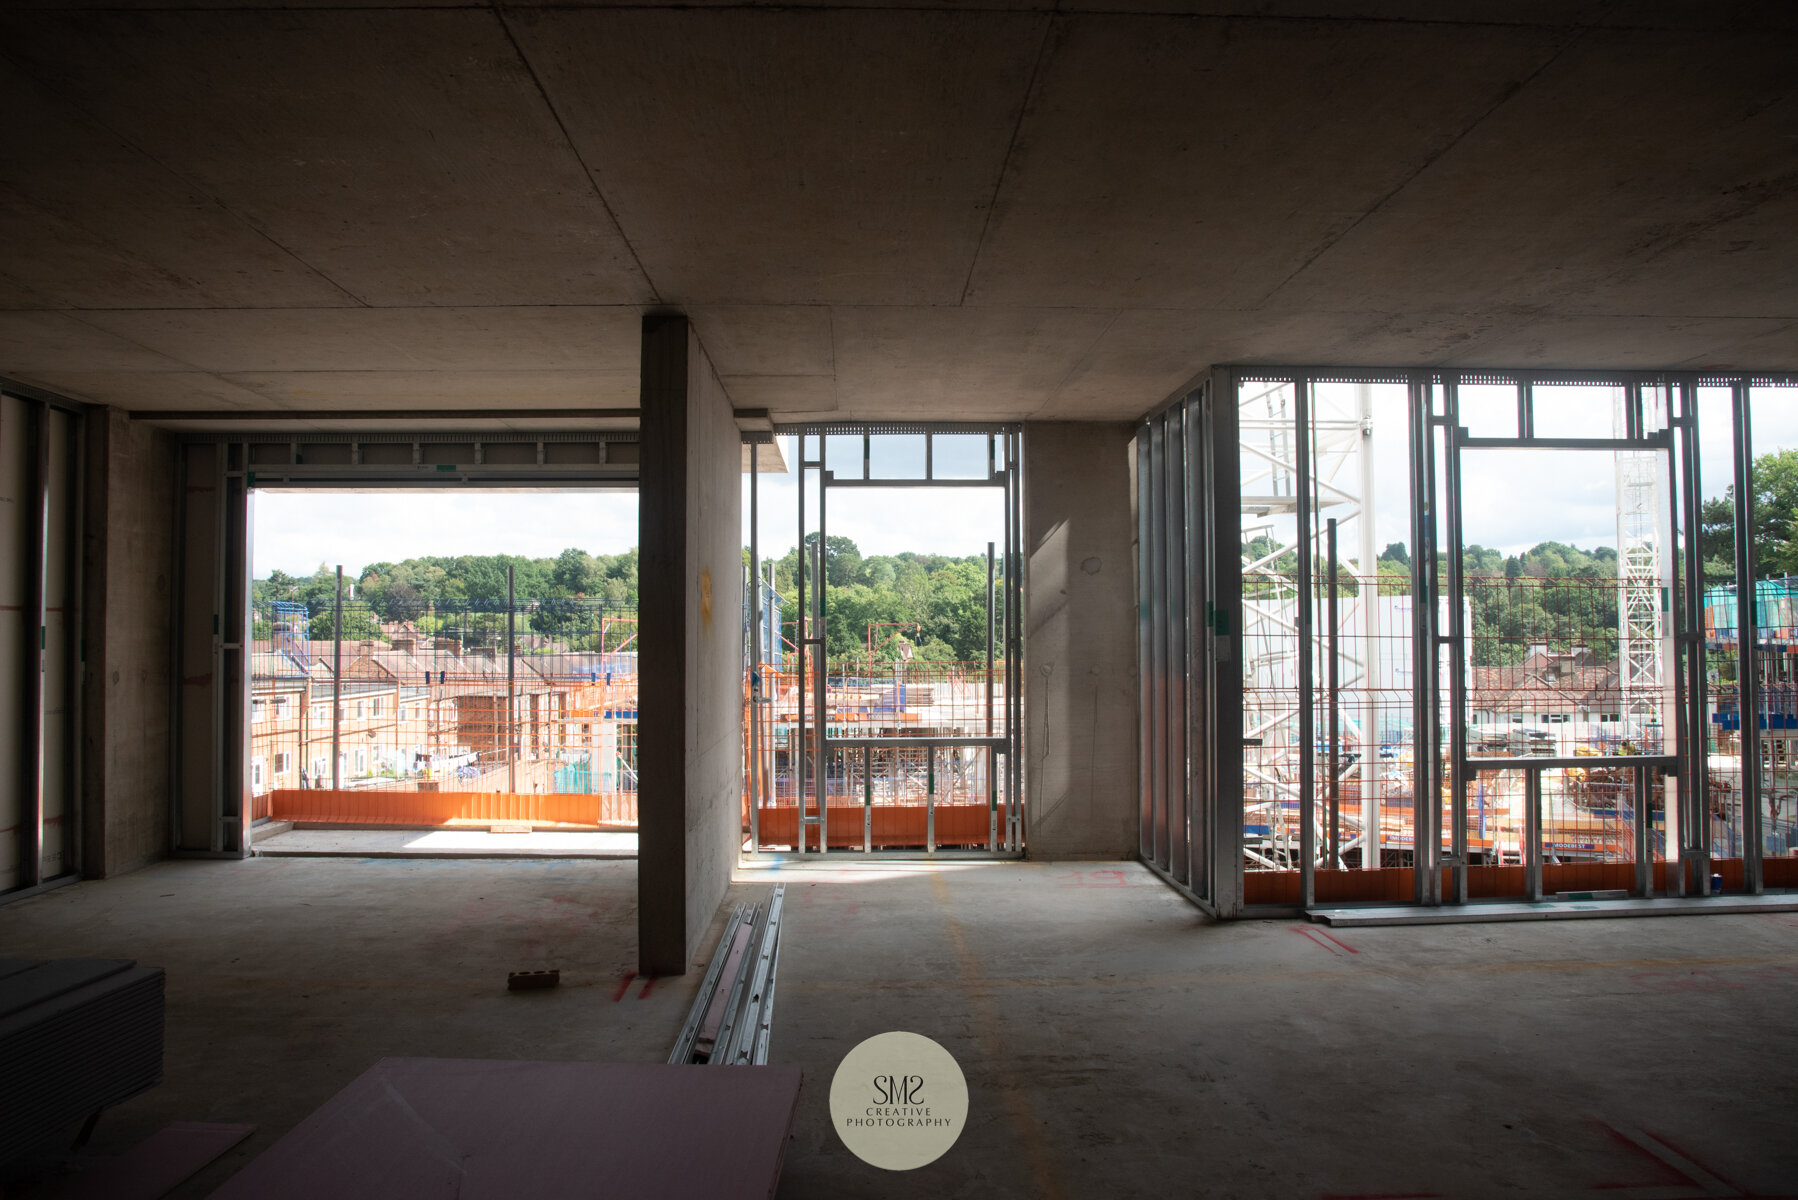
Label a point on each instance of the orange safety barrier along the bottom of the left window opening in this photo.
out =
(547, 810)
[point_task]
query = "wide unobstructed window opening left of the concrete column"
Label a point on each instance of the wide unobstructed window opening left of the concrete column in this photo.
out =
(445, 659)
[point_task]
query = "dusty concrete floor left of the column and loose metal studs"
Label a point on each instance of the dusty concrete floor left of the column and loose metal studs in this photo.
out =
(289, 978)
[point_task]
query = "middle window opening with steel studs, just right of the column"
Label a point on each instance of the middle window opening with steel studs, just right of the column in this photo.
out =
(884, 690)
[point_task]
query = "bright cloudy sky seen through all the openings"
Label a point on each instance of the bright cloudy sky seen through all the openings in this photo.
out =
(1513, 501)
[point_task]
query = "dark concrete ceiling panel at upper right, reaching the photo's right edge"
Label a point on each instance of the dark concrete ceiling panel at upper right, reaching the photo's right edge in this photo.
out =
(1599, 190)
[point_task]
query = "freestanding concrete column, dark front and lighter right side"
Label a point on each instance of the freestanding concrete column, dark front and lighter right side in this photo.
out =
(691, 636)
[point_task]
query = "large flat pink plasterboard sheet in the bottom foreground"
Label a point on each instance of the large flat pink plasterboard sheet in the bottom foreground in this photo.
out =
(490, 1131)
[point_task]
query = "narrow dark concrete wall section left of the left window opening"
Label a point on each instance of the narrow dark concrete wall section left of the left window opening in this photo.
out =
(127, 623)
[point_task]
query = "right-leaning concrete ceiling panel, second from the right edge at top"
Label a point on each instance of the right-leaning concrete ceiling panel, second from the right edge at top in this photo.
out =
(1236, 154)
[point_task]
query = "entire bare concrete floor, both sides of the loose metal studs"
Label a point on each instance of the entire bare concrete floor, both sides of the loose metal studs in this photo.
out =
(1116, 1044)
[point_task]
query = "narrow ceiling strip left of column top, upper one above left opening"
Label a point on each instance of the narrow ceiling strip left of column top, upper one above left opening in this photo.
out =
(389, 339)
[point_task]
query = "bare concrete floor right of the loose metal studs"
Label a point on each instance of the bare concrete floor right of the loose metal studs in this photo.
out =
(1117, 1044)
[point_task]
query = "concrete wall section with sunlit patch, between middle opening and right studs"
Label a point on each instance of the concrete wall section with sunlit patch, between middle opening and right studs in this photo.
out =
(1080, 641)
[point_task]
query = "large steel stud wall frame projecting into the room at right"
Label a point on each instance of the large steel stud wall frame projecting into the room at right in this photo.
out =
(1191, 614)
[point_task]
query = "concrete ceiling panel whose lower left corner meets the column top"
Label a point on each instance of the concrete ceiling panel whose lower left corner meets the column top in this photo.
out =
(792, 157)
